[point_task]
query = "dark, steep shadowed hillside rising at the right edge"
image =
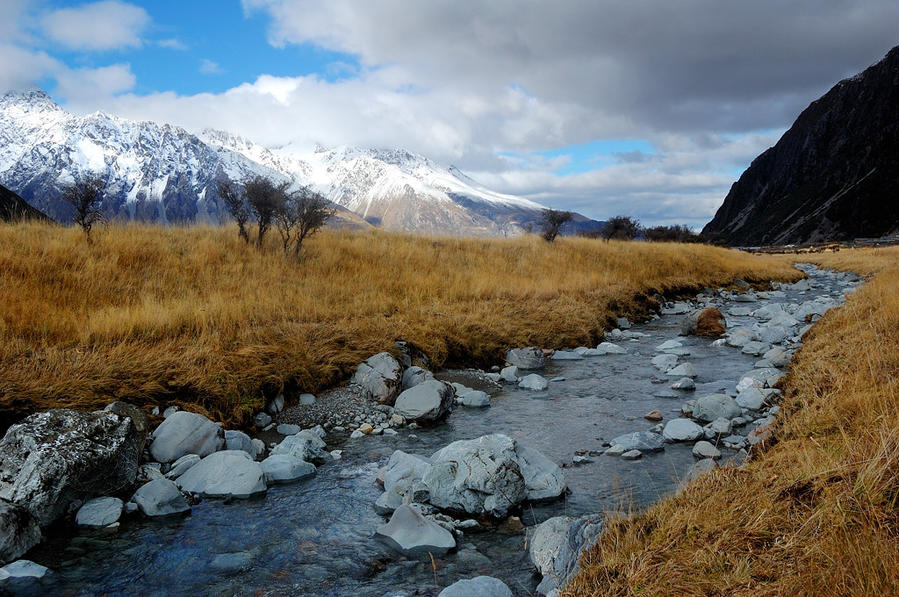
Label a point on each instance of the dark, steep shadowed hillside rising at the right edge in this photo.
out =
(833, 176)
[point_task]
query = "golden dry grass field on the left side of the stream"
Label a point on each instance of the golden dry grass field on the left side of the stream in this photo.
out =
(192, 316)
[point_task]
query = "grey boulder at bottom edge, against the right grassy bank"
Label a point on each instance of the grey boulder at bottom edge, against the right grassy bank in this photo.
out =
(556, 547)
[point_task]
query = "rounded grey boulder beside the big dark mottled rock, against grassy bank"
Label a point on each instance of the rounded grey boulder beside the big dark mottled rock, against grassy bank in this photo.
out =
(186, 433)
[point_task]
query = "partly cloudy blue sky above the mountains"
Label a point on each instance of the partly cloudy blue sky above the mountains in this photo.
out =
(646, 108)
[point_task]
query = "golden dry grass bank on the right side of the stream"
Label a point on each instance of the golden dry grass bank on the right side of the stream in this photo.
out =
(815, 514)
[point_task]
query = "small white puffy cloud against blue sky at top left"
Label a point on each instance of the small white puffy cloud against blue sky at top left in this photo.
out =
(98, 26)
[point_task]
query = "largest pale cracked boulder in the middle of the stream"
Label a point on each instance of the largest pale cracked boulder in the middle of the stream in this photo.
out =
(489, 475)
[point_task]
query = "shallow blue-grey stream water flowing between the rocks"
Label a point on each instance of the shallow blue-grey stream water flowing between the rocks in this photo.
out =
(316, 537)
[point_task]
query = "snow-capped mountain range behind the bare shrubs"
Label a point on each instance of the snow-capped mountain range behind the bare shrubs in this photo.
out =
(158, 172)
